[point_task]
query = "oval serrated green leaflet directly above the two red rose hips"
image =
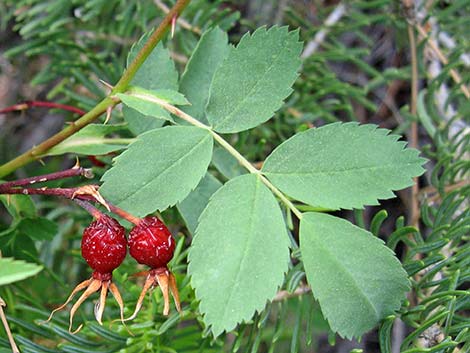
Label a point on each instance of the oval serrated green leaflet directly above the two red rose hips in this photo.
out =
(159, 169)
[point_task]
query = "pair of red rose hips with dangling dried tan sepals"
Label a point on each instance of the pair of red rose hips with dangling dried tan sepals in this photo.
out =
(104, 247)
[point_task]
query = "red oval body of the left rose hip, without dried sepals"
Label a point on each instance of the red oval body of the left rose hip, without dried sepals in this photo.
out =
(104, 246)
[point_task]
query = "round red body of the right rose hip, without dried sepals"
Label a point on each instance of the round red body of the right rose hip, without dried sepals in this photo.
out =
(151, 243)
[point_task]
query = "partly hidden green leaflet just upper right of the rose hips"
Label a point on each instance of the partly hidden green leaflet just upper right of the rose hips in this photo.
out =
(193, 205)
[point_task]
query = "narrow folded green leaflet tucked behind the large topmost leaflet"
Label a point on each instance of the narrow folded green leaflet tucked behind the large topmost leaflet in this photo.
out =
(195, 83)
